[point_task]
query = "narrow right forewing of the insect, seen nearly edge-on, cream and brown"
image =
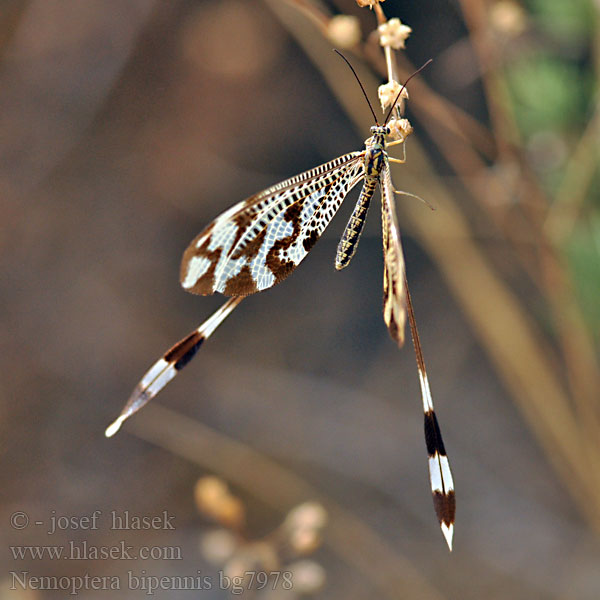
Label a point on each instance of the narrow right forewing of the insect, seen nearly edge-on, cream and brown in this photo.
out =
(394, 294)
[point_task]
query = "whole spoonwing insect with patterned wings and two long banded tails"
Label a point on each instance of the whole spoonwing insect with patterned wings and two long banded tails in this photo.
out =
(260, 241)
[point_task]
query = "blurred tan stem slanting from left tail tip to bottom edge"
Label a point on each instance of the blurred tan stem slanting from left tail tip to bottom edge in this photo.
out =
(279, 488)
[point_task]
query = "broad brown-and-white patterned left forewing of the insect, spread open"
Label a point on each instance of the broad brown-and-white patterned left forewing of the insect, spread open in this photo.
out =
(260, 241)
